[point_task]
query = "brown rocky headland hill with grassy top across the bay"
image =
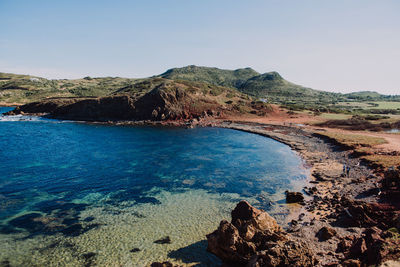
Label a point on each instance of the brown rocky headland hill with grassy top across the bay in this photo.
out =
(156, 99)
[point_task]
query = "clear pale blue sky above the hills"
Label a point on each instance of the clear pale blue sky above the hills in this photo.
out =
(336, 45)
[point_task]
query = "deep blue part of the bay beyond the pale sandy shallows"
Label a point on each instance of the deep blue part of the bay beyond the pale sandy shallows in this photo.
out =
(48, 166)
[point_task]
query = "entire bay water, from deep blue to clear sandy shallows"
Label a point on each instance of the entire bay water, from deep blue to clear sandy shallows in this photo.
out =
(74, 194)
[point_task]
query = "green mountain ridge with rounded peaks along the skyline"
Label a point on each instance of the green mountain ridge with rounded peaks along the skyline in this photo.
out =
(271, 86)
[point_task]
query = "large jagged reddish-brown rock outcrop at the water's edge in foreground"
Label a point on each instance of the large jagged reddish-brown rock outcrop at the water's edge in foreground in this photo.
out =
(253, 238)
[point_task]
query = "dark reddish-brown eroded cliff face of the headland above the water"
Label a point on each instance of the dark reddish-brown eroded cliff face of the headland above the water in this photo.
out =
(165, 102)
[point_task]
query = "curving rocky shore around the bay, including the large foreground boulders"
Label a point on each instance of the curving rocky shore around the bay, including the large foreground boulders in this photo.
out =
(347, 220)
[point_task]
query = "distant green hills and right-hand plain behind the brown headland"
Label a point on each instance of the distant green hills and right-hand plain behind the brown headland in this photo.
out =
(269, 87)
